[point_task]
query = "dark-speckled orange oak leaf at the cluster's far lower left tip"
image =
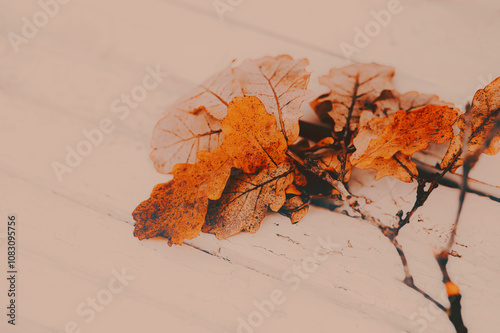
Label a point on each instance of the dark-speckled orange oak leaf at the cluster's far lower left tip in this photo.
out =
(176, 210)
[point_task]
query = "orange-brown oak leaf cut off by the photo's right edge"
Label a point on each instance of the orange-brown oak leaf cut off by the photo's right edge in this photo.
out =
(482, 115)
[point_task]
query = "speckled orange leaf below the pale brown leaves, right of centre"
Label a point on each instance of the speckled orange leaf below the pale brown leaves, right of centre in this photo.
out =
(386, 144)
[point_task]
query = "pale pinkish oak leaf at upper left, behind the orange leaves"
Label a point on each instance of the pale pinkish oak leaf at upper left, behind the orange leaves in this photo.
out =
(189, 126)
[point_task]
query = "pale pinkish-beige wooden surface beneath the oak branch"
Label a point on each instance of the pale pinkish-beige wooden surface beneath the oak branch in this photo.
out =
(74, 235)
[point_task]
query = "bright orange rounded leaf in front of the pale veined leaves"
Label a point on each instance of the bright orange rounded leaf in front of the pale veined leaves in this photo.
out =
(252, 138)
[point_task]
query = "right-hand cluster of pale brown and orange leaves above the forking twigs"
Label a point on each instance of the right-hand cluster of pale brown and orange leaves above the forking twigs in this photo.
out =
(376, 127)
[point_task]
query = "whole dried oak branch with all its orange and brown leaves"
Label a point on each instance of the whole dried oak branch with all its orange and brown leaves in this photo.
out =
(232, 145)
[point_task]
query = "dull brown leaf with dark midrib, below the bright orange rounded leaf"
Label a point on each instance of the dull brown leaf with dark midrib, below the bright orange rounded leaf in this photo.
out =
(246, 200)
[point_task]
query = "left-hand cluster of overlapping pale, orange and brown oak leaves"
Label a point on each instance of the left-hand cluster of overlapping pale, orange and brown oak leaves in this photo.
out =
(226, 143)
